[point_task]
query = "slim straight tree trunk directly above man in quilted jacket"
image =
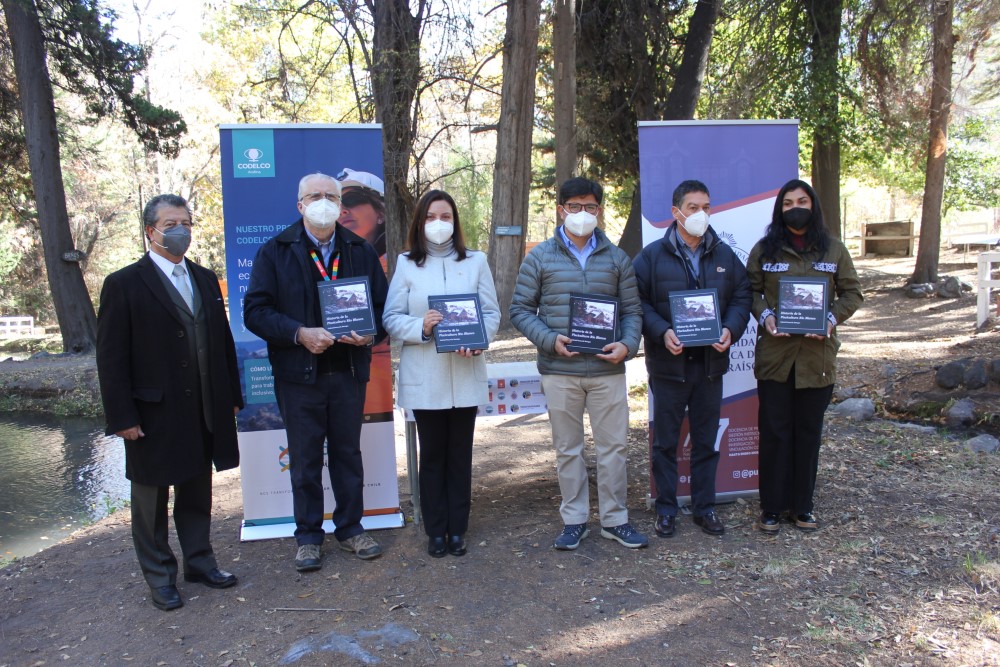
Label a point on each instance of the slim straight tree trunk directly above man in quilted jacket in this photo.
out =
(564, 56)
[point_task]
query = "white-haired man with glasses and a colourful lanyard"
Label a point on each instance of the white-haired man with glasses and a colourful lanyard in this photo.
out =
(320, 381)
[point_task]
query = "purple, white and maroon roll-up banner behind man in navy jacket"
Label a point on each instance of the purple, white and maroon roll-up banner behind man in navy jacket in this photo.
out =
(743, 164)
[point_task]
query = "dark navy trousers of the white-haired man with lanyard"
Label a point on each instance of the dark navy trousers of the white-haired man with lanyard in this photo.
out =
(329, 411)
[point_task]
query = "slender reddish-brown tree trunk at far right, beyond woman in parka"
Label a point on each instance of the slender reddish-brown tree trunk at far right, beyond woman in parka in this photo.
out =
(928, 254)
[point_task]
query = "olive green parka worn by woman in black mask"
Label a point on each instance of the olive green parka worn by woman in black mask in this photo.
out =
(815, 360)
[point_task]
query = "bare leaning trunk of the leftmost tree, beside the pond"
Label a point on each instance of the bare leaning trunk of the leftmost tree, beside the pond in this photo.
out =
(74, 309)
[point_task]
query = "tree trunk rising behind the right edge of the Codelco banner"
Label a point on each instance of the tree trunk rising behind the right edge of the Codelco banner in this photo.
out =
(396, 72)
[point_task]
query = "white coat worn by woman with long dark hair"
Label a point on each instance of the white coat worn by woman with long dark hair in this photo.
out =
(429, 380)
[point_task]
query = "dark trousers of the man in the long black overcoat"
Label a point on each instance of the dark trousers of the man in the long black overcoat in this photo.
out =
(192, 518)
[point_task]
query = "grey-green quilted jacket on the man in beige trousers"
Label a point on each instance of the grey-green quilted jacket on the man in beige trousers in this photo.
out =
(540, 308)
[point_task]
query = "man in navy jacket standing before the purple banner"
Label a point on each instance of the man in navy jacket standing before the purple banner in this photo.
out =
(689, 256)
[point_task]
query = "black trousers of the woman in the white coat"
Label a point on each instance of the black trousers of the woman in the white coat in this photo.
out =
(445, 469)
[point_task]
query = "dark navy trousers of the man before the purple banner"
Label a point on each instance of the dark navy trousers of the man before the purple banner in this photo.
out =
(701, 396)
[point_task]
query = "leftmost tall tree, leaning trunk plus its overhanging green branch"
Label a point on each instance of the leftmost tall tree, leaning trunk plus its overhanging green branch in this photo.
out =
(76, 36)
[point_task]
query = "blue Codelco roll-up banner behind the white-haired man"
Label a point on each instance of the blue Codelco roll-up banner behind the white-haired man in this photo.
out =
(261, 168)
